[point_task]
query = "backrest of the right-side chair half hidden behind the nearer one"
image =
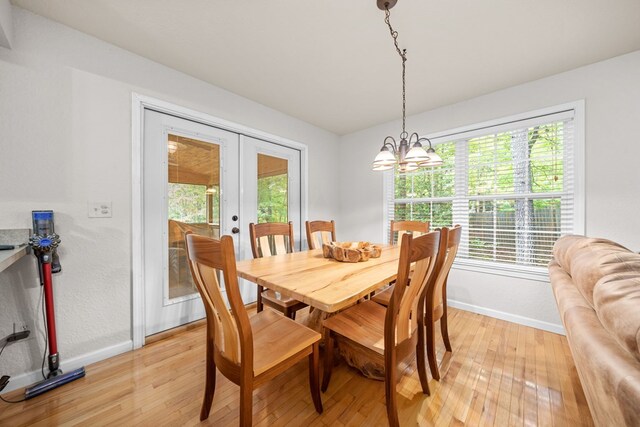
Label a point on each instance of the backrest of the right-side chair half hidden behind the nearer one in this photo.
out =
(449, 243)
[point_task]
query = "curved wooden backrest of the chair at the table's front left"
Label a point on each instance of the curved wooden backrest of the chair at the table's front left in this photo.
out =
(230, 330)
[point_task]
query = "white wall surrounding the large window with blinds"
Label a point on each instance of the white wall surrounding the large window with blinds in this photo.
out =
(612, 93)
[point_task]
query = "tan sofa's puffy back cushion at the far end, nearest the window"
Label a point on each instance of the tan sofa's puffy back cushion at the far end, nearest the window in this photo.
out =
(587, 260)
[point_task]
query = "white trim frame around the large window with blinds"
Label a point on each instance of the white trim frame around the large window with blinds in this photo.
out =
(493, 126)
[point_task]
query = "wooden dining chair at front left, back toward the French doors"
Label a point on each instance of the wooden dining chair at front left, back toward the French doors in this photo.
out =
(248, 351)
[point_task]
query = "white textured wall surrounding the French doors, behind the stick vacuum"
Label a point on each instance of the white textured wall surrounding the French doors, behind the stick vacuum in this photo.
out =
(65, 120)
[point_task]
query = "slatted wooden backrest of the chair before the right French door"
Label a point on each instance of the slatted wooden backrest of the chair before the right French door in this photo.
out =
(271, 238)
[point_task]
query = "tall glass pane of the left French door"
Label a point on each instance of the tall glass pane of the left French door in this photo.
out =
(193, 198)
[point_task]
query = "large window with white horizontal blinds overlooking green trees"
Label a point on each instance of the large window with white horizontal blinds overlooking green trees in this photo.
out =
(511, 185)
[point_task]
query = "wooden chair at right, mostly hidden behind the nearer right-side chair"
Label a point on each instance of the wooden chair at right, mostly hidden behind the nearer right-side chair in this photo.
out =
(436, 295)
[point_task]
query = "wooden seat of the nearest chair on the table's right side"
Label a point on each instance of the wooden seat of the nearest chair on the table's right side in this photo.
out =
(363, 323)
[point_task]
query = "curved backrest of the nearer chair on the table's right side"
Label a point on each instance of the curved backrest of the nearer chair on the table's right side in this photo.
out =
(407, 301)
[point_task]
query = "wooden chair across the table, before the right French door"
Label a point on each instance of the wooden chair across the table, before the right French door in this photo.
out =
(268, 239)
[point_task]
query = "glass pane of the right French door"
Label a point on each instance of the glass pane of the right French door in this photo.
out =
(273, 183)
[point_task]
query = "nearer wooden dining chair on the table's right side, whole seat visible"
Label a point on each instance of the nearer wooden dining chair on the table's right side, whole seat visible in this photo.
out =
(389, 336)
